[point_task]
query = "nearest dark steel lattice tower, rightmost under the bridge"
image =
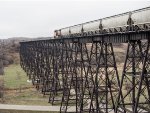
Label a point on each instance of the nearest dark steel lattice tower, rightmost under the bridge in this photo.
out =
(131, 81)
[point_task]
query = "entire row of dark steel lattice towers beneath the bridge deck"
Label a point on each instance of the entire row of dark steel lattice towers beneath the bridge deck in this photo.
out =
(82, 75)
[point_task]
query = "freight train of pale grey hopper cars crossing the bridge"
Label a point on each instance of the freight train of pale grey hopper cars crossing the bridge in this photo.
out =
(137, 20)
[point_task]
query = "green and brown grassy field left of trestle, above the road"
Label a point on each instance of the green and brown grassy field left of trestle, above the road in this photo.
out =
(16, 79)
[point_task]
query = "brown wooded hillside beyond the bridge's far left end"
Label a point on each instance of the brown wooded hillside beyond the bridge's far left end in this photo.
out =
(10, 50)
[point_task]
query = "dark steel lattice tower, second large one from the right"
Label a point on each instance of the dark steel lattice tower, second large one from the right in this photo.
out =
(106, 79)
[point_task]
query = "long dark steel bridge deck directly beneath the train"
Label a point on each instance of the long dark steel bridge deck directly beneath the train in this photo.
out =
(111, 37)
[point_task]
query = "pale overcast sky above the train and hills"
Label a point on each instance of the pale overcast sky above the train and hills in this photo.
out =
(35, 18)
